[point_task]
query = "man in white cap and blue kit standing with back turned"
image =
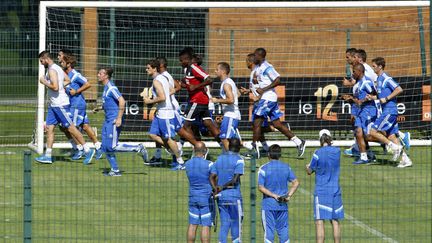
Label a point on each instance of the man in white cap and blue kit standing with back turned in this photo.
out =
(327, 204)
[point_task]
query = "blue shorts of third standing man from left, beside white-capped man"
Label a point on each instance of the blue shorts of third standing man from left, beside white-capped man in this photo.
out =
(275, 221)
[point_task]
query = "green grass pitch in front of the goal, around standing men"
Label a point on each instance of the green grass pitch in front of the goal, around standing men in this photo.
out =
(76, 203)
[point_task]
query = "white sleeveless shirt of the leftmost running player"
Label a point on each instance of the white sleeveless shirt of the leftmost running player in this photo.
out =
(57, 98)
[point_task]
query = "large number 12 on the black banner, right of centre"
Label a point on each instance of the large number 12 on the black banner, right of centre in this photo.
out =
(321, 94)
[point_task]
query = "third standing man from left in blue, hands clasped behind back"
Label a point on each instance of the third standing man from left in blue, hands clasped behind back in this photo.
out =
(273, 180)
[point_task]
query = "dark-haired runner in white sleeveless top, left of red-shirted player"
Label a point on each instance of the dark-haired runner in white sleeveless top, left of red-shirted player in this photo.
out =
(162, 127)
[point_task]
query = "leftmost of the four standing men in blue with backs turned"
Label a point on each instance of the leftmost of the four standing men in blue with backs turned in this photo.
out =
(200, 192)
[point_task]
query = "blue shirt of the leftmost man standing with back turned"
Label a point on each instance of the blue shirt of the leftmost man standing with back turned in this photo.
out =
(198, 173)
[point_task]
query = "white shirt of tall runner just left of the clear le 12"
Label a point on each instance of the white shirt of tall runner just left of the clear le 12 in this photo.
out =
(266, 74)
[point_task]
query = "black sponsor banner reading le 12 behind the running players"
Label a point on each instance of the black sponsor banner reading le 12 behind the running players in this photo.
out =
(307, 103)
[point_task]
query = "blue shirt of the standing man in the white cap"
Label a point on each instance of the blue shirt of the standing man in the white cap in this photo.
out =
(326, 165)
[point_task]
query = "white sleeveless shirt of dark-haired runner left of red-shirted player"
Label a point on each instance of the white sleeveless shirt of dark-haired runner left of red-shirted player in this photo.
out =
(164, 109)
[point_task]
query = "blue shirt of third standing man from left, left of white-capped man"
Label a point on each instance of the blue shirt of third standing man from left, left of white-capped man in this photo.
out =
(275, 176)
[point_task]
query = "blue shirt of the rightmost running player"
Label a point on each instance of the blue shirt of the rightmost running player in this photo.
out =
(386, 85)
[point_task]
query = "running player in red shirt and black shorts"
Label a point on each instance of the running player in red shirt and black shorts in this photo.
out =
(195, 82)
